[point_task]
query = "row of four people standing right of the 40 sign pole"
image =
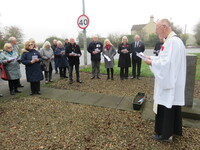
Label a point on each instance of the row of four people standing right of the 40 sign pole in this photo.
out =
(108, 51)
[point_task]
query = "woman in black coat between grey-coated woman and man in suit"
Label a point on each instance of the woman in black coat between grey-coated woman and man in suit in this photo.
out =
(124, 58)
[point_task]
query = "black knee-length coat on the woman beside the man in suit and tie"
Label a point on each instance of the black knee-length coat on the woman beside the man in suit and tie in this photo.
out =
(124, 59)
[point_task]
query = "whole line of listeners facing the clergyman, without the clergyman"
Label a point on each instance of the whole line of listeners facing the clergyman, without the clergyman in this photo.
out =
(65, 58)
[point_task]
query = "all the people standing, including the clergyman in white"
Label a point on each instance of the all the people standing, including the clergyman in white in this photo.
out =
(169, 69)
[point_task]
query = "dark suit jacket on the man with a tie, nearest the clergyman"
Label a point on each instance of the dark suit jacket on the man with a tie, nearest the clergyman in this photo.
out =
(138, 49)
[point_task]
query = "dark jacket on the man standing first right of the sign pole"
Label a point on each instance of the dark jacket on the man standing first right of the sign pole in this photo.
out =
(92, 46)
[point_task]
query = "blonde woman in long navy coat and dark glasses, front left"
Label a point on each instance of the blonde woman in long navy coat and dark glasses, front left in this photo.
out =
(31, 59)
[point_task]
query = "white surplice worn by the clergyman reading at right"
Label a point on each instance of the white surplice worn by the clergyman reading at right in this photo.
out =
(169, 69)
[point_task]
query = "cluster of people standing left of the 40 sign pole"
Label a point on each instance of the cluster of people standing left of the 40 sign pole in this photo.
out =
(36, 61)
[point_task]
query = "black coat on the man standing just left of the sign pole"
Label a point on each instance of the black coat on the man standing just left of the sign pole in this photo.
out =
(73, 49)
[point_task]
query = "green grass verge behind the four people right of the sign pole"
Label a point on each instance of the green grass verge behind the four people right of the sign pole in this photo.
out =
(145, 71)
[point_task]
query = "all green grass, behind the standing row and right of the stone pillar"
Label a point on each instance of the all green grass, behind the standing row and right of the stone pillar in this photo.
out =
(145, 71)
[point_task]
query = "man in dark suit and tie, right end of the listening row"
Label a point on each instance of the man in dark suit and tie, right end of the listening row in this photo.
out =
(136, 46)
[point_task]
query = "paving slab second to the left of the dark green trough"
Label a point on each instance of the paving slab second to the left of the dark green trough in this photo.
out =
(109, 101)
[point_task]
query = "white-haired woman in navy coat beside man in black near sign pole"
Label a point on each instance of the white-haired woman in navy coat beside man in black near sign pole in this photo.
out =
(61, 59)
